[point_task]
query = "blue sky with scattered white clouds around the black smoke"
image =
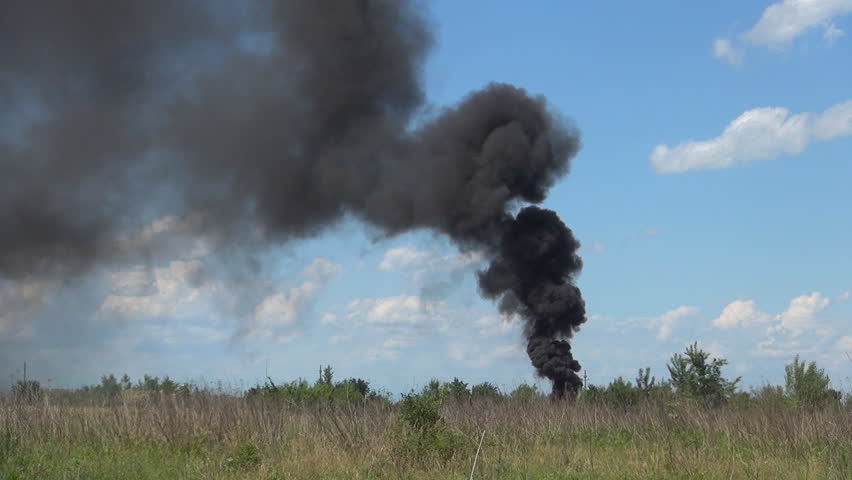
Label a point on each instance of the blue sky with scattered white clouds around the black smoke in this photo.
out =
(712, 197)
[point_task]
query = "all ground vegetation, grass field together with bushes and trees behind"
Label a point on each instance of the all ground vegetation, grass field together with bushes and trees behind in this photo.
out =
(693, 424)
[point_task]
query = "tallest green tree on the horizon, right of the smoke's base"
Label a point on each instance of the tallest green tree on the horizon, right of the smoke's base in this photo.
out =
(696, 375)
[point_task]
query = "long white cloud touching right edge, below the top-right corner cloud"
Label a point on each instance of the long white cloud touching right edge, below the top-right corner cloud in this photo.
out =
(756, 134)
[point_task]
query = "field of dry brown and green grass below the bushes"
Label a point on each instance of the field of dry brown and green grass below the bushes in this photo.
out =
(213, 436)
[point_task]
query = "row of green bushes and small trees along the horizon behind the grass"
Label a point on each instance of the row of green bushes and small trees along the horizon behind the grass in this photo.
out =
(693, 375)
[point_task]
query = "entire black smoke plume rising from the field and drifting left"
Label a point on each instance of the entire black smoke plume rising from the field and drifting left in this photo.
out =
(278, 119)
